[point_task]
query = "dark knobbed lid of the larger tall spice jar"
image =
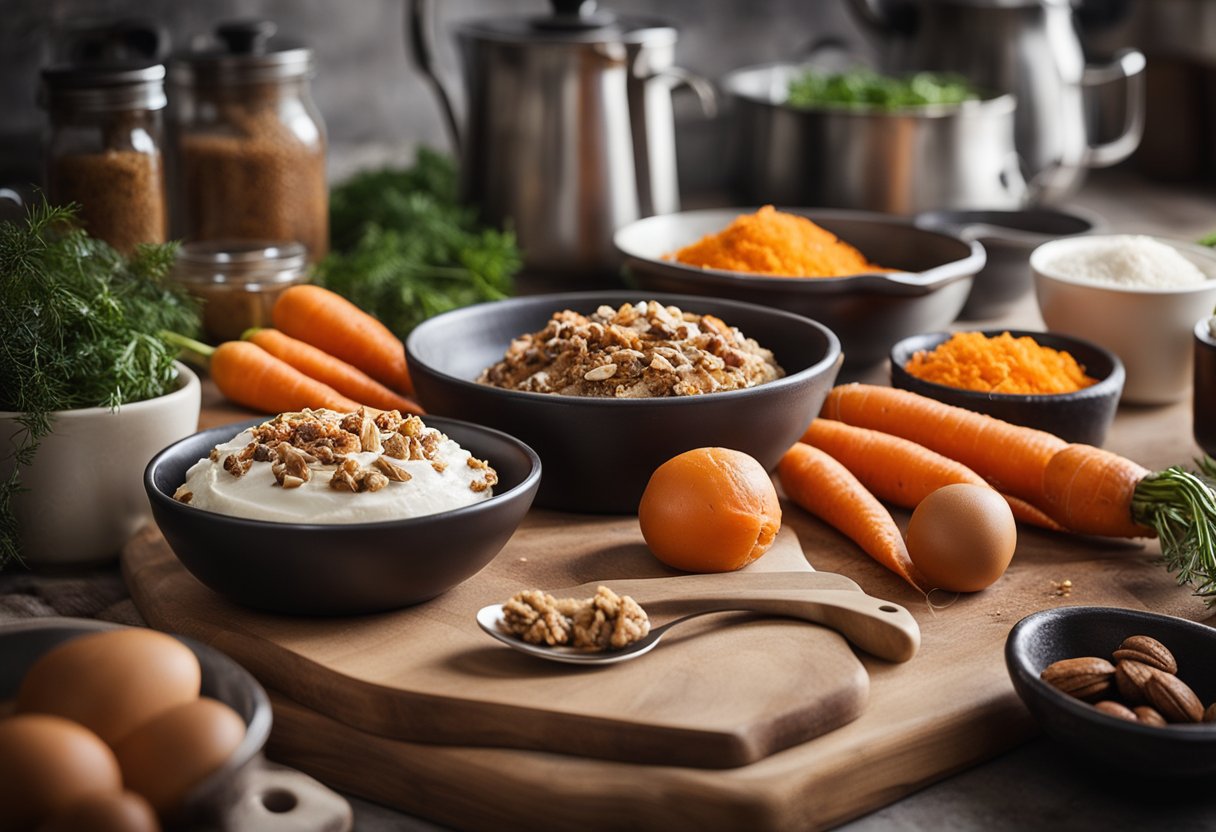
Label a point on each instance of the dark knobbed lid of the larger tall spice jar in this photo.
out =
(244, 53)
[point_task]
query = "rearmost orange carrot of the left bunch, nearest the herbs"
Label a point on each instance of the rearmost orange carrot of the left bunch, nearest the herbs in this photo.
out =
(333, 324)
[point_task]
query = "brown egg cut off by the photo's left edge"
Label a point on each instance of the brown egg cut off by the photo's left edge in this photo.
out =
(47, 764)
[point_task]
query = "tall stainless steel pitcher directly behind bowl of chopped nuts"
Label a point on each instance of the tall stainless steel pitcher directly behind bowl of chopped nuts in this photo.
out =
(570, 132)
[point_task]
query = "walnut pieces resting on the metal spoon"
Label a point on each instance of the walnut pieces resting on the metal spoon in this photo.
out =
(605, 622)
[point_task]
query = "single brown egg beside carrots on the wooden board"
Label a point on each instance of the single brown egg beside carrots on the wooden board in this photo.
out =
(962, 538)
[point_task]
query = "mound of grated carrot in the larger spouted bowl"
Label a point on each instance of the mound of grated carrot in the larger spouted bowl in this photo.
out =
(776, 244)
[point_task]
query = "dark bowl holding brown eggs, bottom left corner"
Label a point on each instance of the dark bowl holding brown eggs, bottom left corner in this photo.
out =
(25, 643)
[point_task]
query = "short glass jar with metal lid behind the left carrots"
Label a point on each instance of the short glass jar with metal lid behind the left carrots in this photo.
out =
(239, 282)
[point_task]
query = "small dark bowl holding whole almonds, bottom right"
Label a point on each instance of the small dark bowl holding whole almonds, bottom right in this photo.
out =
(1051, 636)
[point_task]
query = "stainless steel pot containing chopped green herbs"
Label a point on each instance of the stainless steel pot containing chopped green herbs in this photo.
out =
(903, 162)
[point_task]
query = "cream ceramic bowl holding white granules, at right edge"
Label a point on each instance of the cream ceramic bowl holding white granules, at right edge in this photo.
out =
(1149, 328)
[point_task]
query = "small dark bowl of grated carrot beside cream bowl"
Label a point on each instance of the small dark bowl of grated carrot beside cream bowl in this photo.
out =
(1042, 380)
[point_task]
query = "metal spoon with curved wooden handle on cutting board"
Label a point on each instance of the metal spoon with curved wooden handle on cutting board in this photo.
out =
(879, 627)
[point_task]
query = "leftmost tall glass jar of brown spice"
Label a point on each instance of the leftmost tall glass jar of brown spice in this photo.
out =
(104, 150)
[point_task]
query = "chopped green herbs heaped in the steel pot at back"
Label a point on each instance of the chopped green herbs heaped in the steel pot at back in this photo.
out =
(869, 89)
